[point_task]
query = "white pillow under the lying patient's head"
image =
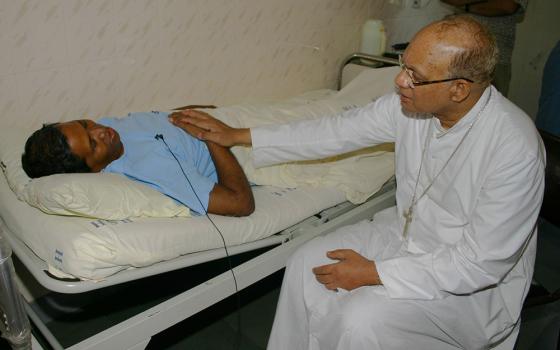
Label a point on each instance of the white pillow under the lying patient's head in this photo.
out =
(102, 196)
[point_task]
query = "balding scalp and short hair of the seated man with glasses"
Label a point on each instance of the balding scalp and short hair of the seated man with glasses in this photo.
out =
(468, 46)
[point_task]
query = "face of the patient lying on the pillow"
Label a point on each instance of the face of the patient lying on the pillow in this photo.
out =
(96, 144)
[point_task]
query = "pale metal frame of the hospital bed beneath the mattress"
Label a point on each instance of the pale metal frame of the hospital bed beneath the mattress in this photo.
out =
(136, 332)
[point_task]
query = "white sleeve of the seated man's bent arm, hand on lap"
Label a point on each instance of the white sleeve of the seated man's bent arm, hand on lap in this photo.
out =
(492, 243)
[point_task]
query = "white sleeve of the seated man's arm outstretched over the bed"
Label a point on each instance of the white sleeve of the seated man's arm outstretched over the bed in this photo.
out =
(328, 136)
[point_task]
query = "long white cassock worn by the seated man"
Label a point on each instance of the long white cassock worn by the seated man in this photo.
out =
(460, 277)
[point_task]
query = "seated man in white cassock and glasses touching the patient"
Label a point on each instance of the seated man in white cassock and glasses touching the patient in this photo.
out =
(450, 265)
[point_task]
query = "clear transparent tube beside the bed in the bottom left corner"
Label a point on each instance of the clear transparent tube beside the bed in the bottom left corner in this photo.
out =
(14, 324)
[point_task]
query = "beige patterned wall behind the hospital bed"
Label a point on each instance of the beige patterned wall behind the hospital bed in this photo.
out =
(63, 59)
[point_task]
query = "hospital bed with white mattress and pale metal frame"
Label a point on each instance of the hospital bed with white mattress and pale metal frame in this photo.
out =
(75, 255)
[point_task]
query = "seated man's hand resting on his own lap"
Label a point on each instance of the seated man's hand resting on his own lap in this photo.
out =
(350, 272)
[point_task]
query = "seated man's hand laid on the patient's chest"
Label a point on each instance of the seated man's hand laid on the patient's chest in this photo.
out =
(208, 128)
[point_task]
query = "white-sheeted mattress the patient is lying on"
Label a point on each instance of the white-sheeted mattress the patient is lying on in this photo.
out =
(95, 249)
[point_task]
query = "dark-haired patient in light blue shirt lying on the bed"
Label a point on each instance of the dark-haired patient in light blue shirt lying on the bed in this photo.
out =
(145, 147)
